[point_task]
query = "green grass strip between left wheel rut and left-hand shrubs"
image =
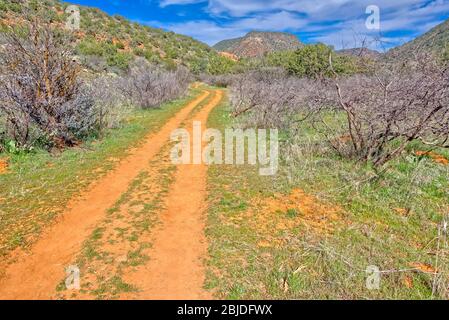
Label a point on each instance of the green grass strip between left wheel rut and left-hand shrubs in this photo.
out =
(39, 185)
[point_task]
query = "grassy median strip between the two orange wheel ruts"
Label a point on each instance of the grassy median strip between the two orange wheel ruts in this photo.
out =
(121, 241)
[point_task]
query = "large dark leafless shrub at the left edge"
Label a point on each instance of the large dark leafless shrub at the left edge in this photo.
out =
(40, 87)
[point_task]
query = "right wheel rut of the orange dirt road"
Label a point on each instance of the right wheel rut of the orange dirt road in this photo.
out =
(176, 266)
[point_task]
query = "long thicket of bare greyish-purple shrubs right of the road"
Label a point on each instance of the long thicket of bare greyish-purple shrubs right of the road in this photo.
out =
(369, 117)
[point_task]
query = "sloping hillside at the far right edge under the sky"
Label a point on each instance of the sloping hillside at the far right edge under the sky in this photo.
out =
(436, 40)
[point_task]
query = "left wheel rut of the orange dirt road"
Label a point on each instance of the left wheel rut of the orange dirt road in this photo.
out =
(35, 274)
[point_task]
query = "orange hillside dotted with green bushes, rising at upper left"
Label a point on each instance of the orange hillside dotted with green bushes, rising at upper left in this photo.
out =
(111, 41)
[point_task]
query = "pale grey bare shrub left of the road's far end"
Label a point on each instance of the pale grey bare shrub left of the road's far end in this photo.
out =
(148, 86)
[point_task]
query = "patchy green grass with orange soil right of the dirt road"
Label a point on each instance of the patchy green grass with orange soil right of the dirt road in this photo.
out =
(254, 260)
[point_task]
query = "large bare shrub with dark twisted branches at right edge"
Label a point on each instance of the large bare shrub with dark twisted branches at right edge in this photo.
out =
(400, 103)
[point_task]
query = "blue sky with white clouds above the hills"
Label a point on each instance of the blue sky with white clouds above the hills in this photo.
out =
(340, 23)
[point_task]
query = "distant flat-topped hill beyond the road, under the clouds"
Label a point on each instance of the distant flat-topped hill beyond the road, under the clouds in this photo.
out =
(257, 44)
